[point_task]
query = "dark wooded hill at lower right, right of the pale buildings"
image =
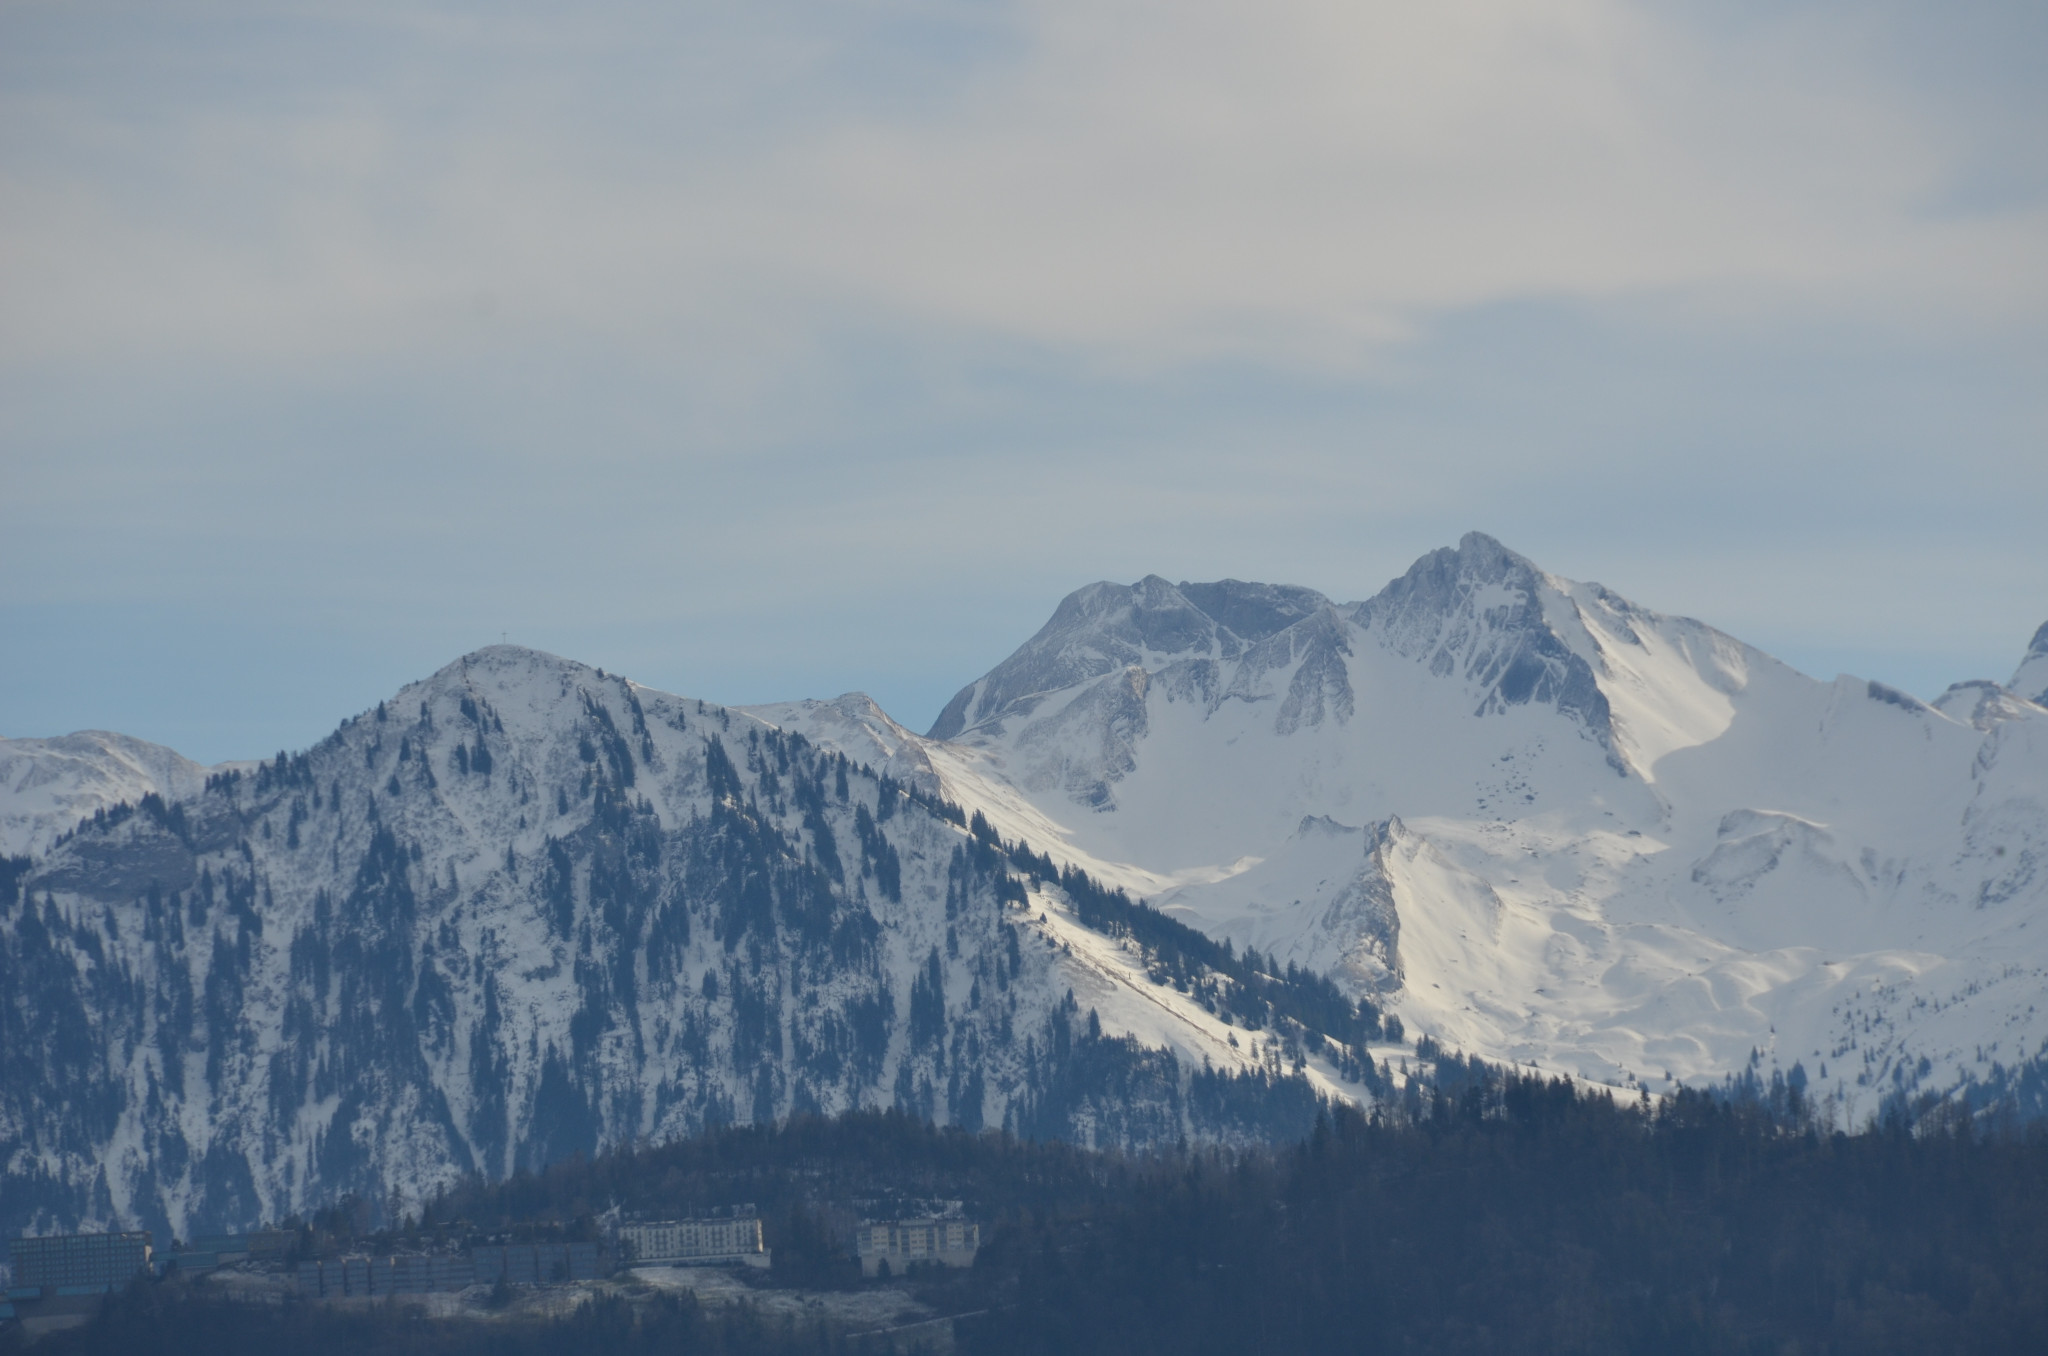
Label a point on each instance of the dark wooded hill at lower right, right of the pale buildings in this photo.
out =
(1519, 1216)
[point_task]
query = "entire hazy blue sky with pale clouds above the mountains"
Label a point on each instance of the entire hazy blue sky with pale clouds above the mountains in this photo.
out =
(781, 349)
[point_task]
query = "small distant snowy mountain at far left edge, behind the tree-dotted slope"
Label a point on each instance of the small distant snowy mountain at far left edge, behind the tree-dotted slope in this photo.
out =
(50, 786)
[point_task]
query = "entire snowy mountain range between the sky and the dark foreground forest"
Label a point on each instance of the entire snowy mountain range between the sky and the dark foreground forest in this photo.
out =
(527, 908)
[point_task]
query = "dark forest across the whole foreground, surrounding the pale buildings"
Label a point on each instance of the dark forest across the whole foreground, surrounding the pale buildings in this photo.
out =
(1506, 1216)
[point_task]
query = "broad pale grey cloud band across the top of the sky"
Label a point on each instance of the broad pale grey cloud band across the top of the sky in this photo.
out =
(1140, 181)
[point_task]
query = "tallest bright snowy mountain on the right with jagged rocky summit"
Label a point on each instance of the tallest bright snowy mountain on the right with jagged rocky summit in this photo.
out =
(1547, 824)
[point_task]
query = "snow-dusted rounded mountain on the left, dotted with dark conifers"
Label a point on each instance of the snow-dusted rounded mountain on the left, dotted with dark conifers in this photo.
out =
(525, 908)
